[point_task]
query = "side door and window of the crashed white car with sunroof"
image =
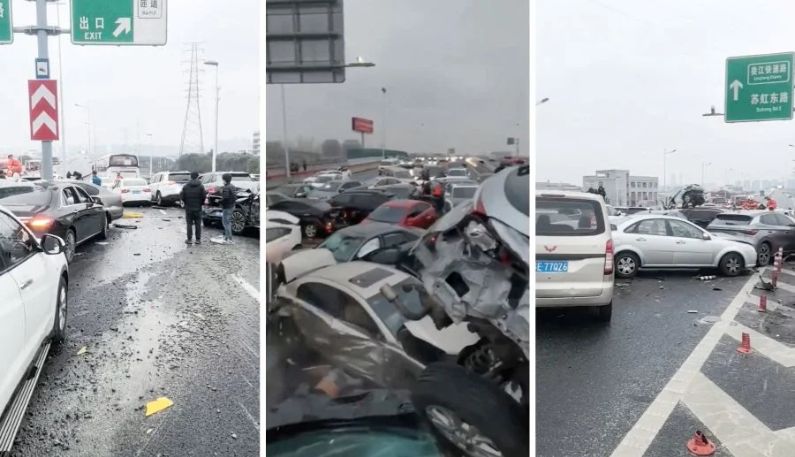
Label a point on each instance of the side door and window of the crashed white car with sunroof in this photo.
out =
(331, 323)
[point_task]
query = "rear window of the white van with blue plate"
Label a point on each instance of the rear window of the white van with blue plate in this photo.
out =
(568, 217)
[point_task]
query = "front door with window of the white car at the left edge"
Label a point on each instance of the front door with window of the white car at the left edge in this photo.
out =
(37, 288)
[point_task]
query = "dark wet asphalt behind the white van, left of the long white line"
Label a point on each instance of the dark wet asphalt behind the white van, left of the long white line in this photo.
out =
(595, 381)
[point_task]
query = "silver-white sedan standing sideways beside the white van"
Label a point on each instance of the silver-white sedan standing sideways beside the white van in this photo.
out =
(657, 242)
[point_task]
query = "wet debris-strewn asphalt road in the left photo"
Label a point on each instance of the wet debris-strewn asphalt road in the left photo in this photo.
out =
(158, 319)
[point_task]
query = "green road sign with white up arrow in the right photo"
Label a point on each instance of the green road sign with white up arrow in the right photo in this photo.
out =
(759, 88)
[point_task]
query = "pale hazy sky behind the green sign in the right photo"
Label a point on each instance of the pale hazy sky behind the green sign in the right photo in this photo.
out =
(628, 79)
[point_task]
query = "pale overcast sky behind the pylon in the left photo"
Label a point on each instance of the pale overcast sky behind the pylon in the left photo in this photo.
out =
(125, 86)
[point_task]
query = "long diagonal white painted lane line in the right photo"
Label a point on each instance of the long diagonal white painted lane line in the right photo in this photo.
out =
(637, 440)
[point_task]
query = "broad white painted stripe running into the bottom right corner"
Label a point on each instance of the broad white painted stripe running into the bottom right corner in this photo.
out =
(737, 429)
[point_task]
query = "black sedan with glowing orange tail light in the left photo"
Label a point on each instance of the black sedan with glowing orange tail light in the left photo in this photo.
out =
(62, 209)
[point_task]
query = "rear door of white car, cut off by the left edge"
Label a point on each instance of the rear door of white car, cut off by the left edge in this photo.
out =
(13, 358)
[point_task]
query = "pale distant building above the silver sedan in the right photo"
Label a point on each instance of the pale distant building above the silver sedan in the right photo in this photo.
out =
(622, 189)
